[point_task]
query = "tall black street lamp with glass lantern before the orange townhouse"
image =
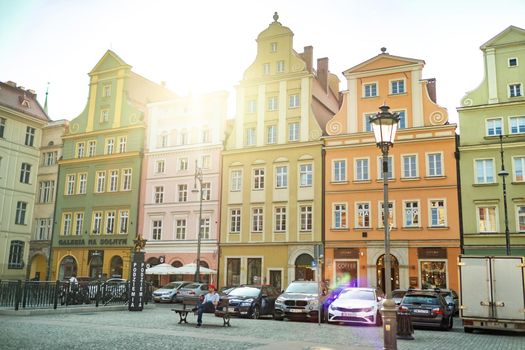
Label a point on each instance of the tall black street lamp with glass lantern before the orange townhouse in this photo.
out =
(384, 125)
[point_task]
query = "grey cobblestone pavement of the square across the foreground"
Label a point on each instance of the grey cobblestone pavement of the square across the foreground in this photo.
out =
(157, 328)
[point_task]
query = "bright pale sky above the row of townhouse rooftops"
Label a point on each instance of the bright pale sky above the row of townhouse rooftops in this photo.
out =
(202, 46)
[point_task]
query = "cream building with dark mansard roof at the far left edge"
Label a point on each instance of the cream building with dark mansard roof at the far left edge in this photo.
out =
(22, 120)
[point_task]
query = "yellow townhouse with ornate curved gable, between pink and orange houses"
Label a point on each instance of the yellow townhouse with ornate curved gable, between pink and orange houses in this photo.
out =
(271, 204)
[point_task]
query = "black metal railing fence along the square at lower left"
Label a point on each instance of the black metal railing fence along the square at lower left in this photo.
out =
(41, 295)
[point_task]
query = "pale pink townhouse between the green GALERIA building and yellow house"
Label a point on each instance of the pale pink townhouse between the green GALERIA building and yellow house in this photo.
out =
(185, 137)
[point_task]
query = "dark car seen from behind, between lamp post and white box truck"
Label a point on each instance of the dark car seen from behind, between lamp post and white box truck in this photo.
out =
(428, 308)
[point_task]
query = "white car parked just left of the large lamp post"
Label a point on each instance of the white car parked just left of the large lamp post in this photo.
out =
(357, 305)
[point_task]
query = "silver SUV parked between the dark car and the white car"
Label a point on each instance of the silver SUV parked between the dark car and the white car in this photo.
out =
(299, 301)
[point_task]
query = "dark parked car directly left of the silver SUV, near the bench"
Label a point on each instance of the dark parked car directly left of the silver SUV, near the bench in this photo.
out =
(252, 301)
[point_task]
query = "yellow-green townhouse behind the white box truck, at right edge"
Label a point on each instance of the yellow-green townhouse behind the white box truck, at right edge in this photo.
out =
(492, 119)
